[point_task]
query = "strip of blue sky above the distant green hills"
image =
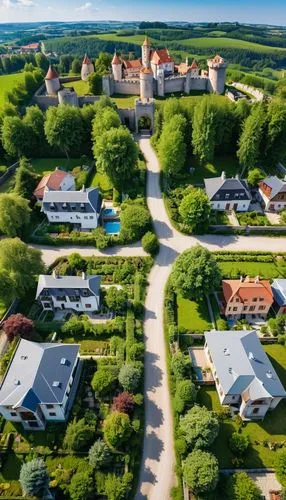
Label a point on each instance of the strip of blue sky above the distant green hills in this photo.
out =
(256, 11)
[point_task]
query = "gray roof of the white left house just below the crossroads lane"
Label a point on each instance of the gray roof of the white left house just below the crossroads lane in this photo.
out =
(68, 283)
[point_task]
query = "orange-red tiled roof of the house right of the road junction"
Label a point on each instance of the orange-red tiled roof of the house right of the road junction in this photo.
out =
(247, 289)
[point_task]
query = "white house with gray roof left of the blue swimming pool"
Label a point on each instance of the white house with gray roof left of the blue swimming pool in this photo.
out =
(81, 208)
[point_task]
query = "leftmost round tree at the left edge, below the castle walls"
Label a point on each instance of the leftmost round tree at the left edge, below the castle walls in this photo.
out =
(16, 136)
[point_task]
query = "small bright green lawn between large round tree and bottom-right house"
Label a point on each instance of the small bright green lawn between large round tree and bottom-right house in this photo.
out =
(193, 316)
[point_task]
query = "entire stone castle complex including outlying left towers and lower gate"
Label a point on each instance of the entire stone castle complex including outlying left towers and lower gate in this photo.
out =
(154, 74)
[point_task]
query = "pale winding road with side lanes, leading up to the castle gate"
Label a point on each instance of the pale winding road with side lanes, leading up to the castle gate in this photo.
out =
(158, 461)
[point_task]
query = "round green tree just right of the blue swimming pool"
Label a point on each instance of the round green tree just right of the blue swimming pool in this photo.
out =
(135, 220)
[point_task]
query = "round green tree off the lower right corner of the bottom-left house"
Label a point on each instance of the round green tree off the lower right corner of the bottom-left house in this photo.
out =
(78, 435)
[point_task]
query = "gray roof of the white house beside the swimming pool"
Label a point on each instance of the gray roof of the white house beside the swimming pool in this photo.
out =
(90, 196)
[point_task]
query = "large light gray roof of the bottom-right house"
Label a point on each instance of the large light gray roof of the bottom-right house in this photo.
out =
(241, 364)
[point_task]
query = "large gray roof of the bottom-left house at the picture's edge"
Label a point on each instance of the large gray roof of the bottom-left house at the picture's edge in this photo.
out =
(33, 371)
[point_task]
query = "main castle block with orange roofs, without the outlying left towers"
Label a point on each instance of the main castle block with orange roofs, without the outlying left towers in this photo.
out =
(155, 74)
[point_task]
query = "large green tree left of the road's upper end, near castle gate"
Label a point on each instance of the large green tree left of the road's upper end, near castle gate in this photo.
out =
(116, 154)
